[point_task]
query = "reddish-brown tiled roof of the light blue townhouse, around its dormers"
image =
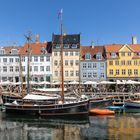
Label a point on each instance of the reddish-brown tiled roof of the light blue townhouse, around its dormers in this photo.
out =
(93, 51)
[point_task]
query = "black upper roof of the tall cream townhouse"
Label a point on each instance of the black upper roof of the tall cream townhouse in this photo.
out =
(67, 39)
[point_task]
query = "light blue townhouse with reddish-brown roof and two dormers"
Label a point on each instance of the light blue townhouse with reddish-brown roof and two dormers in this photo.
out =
(92, 63)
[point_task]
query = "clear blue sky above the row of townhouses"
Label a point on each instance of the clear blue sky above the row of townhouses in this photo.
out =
(100, 21)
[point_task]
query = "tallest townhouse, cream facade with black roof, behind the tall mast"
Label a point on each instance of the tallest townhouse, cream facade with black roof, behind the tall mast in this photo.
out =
(71, 48)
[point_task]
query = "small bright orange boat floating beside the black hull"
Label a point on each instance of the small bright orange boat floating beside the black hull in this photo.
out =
(101, 112)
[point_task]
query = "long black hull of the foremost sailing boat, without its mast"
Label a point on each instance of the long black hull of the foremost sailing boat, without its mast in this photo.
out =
(49, 110)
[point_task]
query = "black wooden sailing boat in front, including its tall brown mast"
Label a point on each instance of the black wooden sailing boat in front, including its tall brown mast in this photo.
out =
(59, 108)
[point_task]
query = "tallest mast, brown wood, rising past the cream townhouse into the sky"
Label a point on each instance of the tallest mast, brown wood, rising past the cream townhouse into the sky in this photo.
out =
(61, 46)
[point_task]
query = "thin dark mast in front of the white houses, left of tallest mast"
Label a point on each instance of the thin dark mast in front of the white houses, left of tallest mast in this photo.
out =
(28, 37)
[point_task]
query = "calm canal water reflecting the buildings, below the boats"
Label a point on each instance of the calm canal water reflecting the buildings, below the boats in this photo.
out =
(121, 126)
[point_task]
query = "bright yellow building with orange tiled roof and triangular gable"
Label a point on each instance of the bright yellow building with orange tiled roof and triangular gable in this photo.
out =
(123, 61)
